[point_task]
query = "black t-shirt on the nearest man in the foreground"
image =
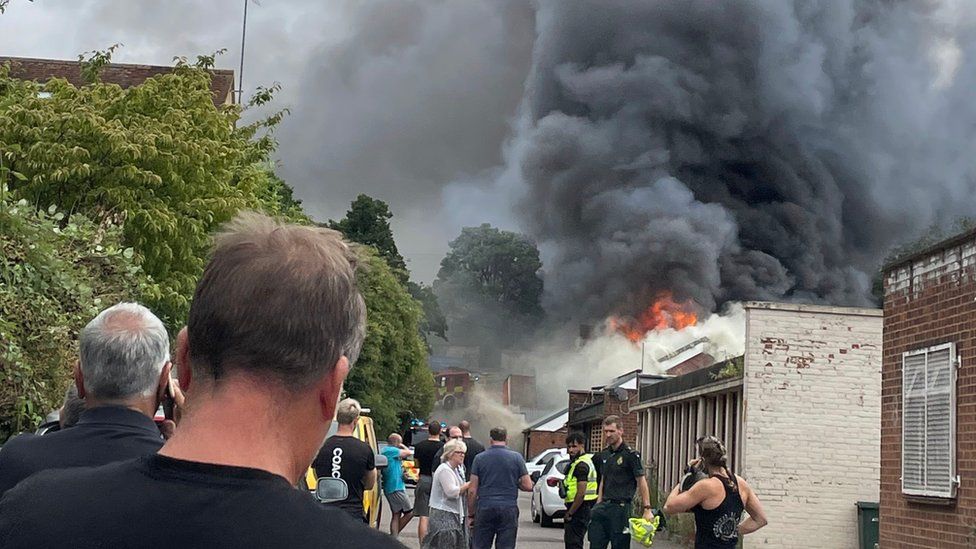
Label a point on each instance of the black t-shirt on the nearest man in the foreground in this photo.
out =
(159, 502)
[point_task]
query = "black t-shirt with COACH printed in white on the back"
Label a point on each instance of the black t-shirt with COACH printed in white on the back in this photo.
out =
(348, 458)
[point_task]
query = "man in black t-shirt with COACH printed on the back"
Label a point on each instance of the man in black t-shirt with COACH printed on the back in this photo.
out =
(345, 456)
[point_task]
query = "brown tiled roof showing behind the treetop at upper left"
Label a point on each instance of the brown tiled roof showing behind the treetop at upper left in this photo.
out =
(123, 74)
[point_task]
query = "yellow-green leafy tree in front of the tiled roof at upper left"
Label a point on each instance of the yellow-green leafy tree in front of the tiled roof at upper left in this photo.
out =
(158, 159)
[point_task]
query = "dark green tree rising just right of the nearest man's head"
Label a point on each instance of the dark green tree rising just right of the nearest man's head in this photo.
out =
(368, 222)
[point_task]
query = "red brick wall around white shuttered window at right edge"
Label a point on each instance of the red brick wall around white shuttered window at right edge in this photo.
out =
(930, 300)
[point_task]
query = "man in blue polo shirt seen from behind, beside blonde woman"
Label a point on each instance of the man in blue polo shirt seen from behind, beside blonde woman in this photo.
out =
(497, 475)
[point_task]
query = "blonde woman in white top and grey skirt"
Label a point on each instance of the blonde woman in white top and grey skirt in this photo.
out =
(446, 523)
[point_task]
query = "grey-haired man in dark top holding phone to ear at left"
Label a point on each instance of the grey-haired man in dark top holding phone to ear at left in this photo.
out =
(122, 376)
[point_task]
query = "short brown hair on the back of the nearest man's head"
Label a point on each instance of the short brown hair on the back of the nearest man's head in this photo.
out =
(278, 302)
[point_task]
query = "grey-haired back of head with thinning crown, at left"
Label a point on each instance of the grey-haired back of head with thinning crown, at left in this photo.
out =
(122, 353)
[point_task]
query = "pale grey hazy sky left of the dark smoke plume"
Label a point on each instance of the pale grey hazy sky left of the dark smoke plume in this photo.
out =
(392, 98)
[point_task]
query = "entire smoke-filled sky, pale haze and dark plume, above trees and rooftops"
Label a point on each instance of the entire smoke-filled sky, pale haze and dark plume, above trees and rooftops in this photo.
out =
(719, 151)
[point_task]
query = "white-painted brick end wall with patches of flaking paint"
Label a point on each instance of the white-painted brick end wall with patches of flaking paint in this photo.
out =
(812, 421)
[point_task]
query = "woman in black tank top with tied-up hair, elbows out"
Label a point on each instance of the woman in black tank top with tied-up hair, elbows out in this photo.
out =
(717, 500)
